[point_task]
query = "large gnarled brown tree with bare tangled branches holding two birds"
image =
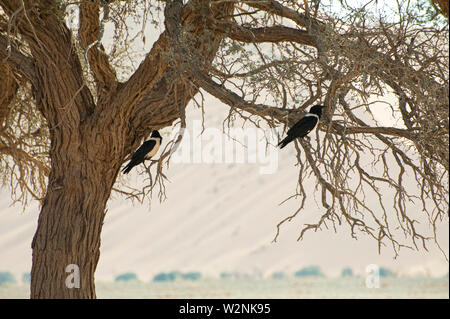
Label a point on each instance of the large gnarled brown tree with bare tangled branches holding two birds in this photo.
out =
(71, 114)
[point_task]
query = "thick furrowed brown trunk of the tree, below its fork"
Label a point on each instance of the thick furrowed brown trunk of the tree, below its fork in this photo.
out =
(67, 239)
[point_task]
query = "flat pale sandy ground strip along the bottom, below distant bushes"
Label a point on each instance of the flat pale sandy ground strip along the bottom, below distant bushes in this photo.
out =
(289, 288)
